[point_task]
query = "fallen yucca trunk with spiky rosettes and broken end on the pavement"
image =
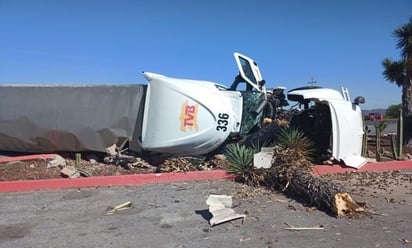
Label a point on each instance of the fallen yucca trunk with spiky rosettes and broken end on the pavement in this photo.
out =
(290, 172)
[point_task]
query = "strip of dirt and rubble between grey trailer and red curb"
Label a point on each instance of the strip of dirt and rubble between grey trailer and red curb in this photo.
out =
(95, 166)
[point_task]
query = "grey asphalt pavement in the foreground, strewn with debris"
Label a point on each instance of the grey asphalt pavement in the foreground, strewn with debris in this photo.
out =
(175, 215)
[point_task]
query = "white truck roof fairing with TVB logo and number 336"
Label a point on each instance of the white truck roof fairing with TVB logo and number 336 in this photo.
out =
(188, 116)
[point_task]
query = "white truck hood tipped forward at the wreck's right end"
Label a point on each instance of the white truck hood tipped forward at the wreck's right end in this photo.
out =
(332, 121)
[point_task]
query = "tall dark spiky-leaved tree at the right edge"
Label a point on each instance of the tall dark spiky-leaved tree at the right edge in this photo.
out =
(400, 73)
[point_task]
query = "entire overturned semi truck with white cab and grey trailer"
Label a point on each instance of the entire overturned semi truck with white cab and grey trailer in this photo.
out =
(172, 115)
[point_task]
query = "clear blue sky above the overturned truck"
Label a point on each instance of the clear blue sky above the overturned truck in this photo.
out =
(335, 43)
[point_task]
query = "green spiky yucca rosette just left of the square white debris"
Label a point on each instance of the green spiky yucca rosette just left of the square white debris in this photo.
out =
(241, 164)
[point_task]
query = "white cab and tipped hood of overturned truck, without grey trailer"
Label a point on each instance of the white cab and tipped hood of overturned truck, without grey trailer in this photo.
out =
(193, 117)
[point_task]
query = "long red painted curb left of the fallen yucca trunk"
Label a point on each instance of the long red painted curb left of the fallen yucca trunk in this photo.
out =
(107, 181)
